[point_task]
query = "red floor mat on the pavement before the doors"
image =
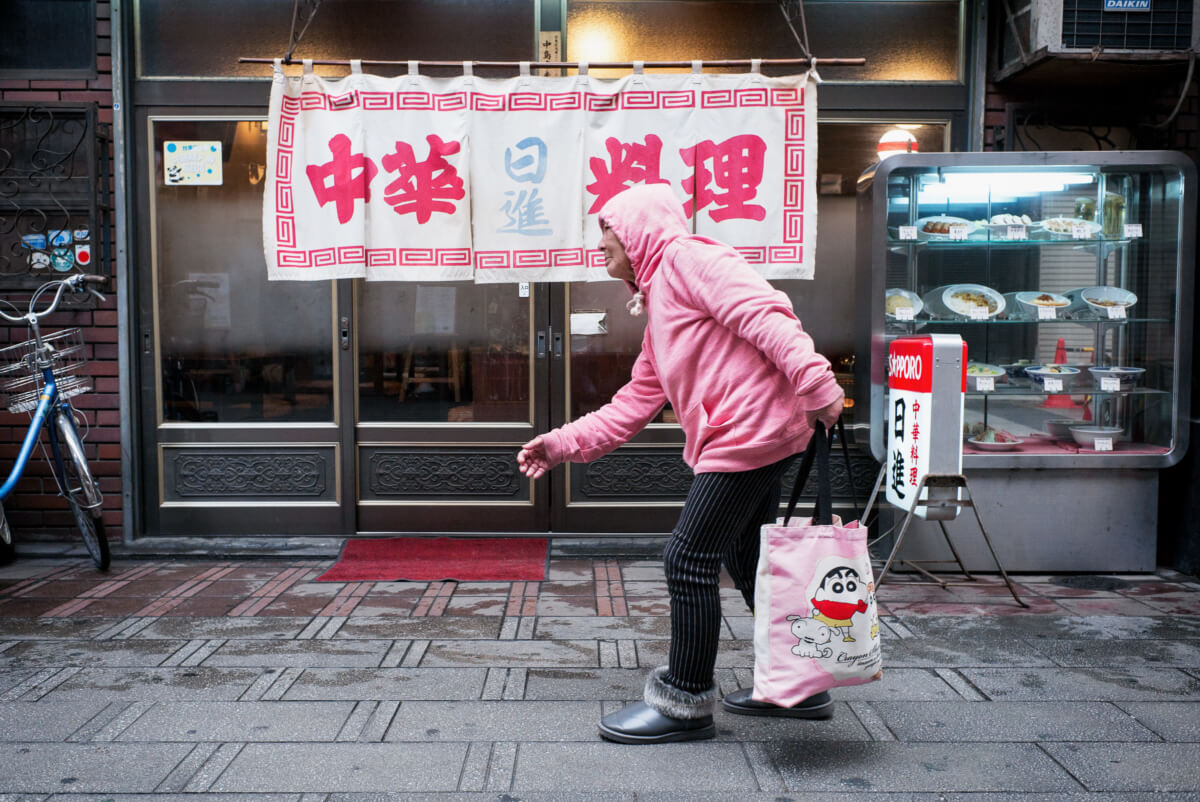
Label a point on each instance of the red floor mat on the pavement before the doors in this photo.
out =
(469, 560)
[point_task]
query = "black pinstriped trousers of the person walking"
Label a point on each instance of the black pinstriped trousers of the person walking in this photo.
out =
(721, 524)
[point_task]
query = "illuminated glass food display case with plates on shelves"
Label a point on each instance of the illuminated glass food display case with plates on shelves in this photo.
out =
(1070, 276)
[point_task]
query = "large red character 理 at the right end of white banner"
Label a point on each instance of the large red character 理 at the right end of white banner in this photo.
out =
(737, 169)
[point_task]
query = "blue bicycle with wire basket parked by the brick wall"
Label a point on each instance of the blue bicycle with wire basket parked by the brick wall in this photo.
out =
(41, 376)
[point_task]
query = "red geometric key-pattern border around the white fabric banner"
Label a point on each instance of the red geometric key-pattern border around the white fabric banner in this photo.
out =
(640, 100)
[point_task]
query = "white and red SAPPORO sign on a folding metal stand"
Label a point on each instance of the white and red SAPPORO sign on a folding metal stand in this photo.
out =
(923, 471)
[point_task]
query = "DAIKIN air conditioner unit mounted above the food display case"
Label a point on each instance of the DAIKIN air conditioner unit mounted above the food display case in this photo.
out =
(1040, 28)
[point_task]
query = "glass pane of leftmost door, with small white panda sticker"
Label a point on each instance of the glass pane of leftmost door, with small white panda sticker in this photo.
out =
(233, 348)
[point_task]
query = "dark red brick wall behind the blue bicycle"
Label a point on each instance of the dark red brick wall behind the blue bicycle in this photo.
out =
(35, 510)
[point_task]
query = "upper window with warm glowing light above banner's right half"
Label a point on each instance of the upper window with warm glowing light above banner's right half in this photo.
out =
(907, 40)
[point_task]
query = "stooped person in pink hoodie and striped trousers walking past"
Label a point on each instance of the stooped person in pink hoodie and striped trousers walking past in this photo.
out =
(729, 354)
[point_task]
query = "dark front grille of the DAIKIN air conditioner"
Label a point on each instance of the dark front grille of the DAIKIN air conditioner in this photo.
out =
(1166, 27)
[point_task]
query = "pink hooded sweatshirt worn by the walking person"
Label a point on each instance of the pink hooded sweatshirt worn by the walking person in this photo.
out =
(722, 345)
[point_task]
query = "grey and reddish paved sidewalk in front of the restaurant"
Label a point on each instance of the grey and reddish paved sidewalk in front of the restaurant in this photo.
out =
(247, 680)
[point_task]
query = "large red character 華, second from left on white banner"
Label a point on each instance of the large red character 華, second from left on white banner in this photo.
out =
(424, 188)
